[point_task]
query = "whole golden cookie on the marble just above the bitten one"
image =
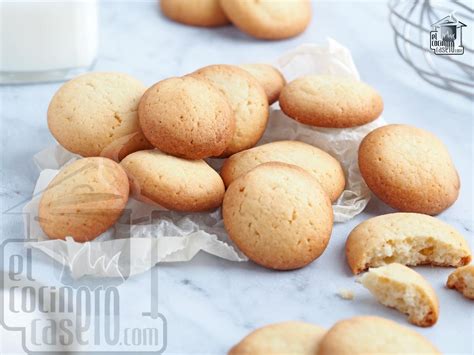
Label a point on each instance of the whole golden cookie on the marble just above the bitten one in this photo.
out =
(409, 169)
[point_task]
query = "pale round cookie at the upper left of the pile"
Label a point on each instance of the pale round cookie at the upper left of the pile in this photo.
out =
(95, 114)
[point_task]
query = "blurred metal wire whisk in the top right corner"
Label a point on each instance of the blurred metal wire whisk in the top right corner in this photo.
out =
(412, 23)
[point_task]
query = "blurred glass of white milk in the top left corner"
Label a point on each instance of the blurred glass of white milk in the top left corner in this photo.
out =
(49, 40)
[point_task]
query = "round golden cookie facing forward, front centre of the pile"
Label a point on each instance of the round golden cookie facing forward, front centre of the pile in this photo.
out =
(278, 216)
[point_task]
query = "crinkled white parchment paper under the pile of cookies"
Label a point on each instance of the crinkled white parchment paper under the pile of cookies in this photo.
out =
(146, 235)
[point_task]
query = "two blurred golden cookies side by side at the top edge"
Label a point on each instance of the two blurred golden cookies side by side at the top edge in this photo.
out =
(264, 19)
